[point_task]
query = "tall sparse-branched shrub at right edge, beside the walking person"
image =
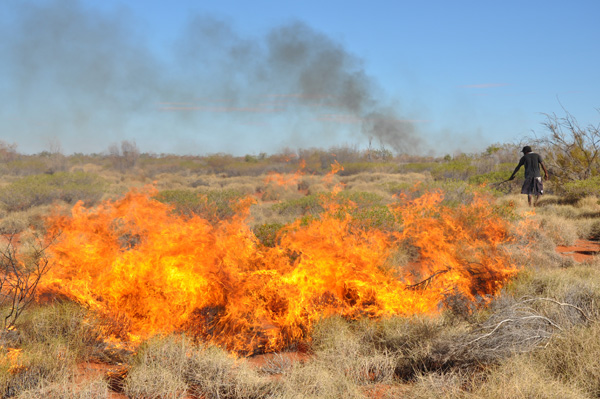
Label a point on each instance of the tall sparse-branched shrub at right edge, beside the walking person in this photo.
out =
(573, 152)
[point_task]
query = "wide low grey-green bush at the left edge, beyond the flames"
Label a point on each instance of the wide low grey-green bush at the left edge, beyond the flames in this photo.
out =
(44, 189)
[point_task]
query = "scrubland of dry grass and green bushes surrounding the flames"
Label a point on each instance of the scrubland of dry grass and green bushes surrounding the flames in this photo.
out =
(536, 339)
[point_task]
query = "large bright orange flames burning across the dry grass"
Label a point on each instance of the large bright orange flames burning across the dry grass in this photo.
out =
(146, 270)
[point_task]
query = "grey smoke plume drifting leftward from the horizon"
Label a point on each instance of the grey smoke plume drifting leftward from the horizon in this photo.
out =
(90, 79)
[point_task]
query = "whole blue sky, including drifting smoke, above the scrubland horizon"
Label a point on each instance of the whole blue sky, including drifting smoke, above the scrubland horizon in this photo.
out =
(243, 77)
